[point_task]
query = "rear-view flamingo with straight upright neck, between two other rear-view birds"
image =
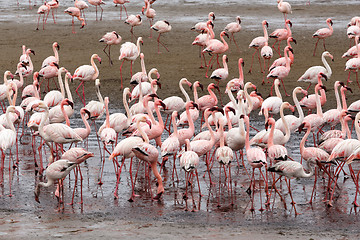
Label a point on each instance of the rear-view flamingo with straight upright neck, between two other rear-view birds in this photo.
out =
(224, 155)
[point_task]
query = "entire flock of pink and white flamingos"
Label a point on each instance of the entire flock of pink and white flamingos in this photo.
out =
(146, 139)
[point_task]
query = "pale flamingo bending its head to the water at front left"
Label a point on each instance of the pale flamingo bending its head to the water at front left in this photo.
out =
(55, 171)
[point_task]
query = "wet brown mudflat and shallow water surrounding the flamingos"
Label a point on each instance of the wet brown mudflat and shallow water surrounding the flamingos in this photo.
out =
(101, 215)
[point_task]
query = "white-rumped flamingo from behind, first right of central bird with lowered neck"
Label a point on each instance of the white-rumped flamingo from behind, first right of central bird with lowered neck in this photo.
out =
(189, 161)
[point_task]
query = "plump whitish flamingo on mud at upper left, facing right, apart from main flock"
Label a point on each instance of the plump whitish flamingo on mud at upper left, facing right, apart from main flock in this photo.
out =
(129, 51)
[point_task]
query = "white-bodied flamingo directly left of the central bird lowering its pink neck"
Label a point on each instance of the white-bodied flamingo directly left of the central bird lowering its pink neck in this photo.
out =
(124, 148)
